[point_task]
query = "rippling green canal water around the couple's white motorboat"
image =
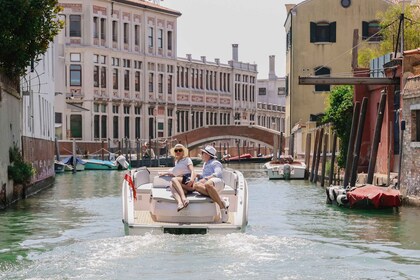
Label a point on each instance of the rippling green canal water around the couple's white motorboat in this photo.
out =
(74, 231)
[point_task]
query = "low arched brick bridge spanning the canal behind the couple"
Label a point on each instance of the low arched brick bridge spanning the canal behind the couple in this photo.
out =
(204, 135)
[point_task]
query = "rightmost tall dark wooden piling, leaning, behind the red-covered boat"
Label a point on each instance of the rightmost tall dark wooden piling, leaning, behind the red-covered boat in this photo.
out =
(376, 139)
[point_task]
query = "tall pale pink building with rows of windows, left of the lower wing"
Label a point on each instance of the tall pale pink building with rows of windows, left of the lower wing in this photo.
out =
(118, 65)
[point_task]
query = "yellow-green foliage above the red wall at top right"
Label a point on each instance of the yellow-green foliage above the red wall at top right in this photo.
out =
(389, 22)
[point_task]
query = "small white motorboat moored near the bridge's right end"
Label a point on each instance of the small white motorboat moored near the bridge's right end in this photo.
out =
(285, 168)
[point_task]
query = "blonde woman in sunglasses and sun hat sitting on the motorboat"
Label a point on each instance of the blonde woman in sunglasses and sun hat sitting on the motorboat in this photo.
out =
(182, 172)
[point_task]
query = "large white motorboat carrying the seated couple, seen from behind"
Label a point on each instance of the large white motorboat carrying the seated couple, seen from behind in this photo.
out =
(148, 206)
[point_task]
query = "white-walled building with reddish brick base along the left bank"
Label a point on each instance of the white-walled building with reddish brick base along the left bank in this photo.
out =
(38, 95)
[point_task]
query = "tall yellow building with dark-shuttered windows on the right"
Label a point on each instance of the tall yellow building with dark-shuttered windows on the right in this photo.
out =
(319, 43)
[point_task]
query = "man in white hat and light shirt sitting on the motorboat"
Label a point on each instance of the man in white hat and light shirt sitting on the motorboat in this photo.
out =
(210, 182)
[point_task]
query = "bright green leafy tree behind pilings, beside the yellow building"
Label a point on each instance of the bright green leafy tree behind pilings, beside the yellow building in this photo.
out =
(339, 112)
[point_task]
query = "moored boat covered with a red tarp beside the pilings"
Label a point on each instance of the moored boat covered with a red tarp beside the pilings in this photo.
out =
(366, 196)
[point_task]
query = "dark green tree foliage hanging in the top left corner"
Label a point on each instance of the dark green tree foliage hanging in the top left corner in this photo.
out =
(26, 29)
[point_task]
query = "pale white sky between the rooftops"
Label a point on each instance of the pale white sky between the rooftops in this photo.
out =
(210, 27)
